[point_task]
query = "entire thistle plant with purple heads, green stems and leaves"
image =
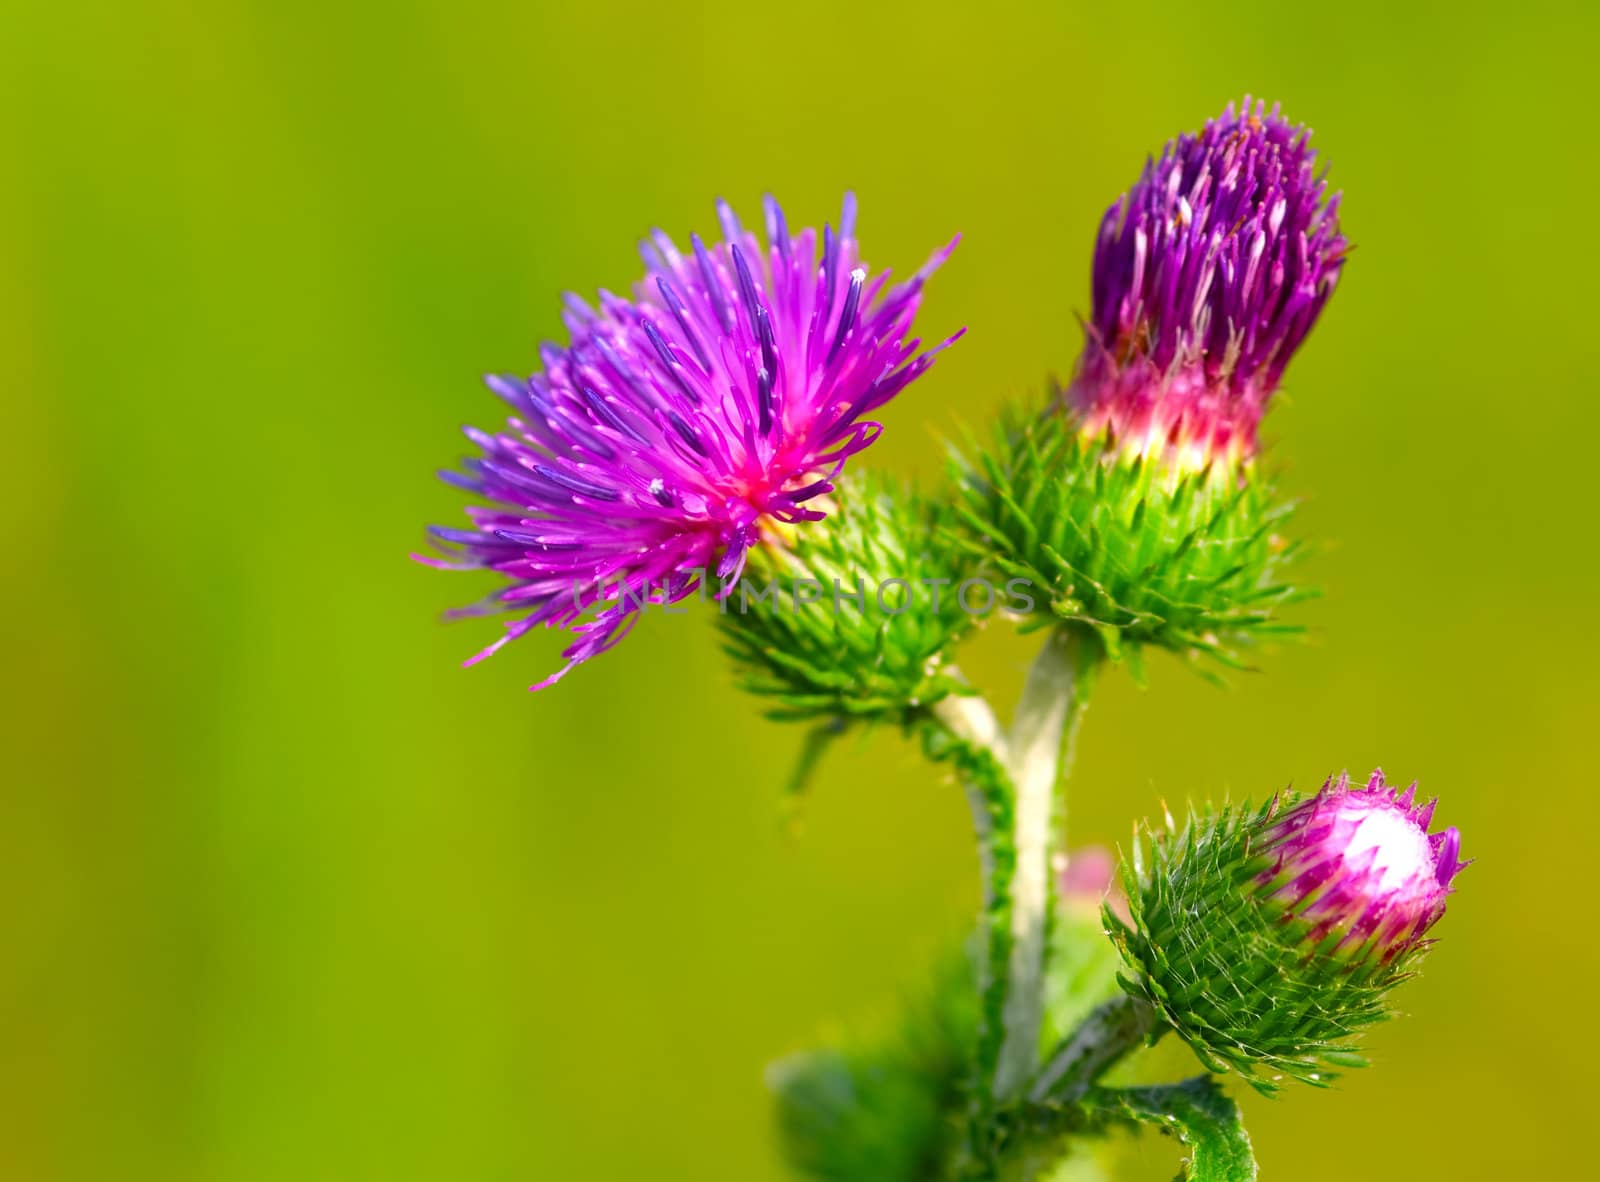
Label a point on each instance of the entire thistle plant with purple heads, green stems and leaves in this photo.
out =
(694, 441)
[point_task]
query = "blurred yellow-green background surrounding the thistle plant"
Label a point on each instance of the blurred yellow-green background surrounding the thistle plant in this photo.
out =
(292, 896)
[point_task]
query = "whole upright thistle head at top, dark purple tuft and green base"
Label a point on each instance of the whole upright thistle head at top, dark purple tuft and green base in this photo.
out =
(1135, 500)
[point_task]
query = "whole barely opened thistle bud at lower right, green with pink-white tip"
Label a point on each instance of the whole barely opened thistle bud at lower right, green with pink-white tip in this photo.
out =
(1268, 938)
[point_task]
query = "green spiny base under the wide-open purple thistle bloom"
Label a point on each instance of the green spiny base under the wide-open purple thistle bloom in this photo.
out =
(871, 642)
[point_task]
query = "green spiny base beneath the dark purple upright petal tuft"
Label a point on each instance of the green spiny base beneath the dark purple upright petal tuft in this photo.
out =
(1143, 554)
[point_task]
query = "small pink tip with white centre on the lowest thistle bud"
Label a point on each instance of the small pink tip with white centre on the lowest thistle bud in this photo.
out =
(1361, 868)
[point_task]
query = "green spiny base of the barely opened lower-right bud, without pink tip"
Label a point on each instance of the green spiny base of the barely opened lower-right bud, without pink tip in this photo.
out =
(1246, 980)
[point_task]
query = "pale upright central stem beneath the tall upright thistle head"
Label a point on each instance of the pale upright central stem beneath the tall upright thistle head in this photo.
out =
(1044, 741)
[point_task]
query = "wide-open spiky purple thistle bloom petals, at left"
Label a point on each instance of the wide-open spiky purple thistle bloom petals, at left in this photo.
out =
(682, 428)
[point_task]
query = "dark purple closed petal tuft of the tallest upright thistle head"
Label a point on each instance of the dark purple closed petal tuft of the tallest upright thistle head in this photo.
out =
(1209, 274)
